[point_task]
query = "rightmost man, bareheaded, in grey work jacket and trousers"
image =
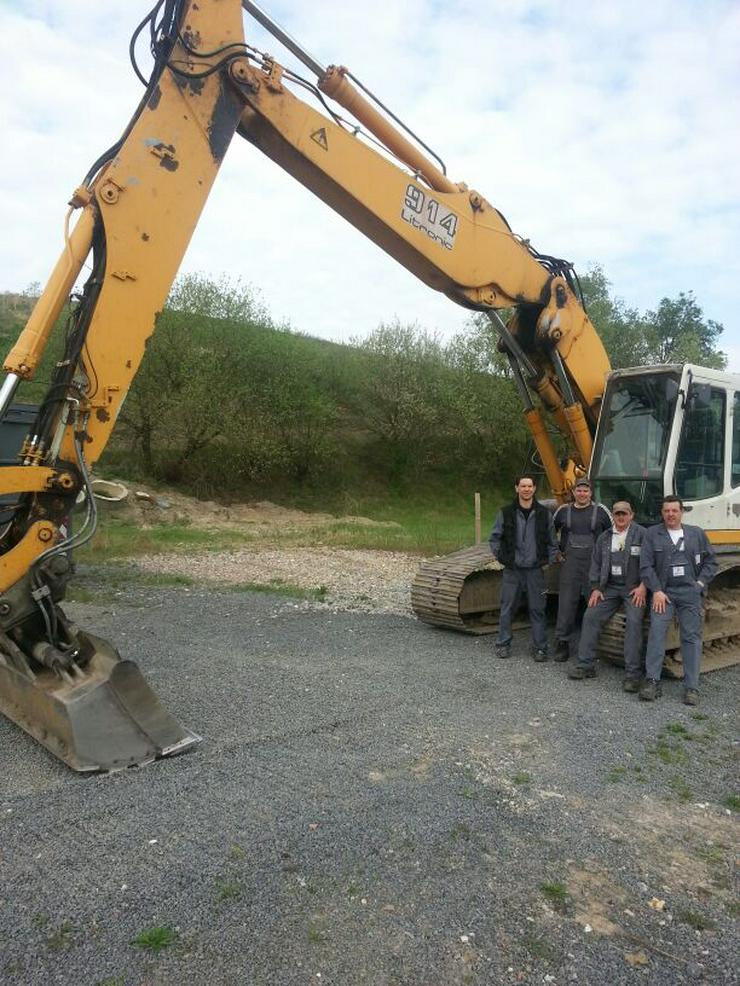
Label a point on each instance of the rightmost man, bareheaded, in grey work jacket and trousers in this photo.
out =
(677, 565)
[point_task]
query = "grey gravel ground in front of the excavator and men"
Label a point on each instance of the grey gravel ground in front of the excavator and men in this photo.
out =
(374, 802)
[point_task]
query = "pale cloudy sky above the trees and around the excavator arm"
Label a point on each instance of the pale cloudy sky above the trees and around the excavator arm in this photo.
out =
(605, 132)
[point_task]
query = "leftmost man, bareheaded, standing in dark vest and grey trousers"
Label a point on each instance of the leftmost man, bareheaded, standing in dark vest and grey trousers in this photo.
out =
(523, 540)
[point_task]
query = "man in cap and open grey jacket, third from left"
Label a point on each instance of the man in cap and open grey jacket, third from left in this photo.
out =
(615, 582)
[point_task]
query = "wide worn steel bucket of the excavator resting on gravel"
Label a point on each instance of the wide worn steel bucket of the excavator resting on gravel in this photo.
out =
(102, 718)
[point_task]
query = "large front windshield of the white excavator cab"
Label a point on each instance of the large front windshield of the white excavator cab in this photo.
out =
(632, 442)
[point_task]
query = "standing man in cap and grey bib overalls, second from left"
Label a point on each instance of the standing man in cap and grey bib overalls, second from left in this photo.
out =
(578, 525)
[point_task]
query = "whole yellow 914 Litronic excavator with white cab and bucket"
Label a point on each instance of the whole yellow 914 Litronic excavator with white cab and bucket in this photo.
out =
(656, 430)
